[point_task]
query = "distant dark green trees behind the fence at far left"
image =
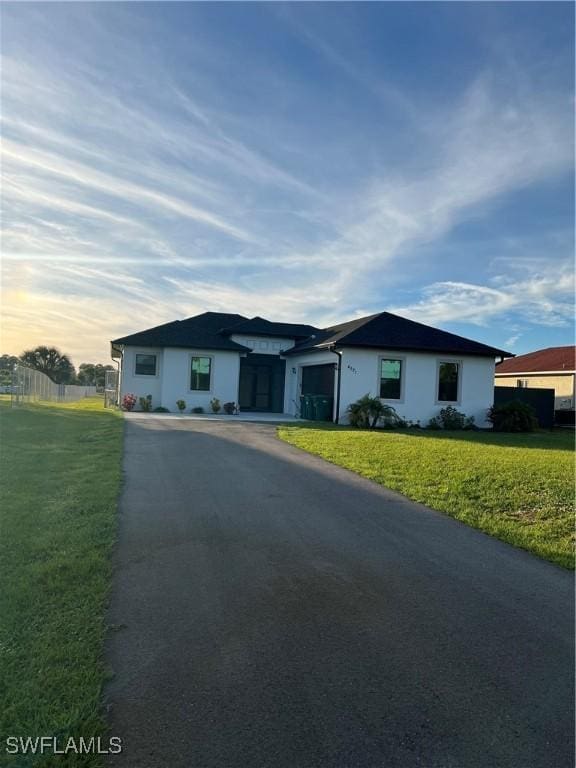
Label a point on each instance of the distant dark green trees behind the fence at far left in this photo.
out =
(57, 366)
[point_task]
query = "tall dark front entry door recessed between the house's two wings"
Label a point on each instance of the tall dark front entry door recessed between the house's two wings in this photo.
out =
(262, 383)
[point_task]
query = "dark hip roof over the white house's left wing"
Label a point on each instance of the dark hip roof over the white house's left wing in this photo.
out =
(200, 332)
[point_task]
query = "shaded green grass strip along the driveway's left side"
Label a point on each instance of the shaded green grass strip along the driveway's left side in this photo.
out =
(60, 469)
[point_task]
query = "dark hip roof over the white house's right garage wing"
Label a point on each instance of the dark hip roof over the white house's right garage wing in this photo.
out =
(387, 331)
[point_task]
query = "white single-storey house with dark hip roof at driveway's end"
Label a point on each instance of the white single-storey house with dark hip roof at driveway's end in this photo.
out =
(267, 366)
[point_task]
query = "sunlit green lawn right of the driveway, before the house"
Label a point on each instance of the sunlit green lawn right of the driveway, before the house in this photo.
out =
(517, 487)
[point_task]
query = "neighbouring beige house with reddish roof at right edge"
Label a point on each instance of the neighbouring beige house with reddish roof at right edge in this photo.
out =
(551, 368)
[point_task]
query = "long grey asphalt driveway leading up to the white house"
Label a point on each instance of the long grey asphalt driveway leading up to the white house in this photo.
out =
(272, 610)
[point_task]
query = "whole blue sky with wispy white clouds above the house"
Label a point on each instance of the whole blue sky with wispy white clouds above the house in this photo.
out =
(307, 162)
